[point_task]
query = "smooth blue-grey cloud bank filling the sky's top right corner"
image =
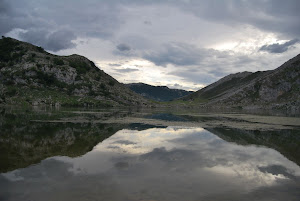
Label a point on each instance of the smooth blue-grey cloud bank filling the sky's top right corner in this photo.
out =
(273, 15)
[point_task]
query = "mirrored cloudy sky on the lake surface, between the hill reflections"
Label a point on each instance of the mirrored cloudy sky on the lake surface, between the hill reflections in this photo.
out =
(173, 163)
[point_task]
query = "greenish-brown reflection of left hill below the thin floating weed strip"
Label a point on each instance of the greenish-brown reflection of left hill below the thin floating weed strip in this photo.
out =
(21, 143)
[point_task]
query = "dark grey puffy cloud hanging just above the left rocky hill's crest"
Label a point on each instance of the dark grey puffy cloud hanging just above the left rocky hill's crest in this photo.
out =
(55, 41)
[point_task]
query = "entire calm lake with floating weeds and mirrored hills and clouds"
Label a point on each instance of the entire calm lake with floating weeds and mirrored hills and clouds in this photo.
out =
(117, 154)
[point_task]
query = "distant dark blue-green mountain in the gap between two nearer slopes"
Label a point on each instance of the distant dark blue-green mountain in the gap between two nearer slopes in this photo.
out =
(157, 93)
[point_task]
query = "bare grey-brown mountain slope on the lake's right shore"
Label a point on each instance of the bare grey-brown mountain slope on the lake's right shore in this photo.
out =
(279, 88)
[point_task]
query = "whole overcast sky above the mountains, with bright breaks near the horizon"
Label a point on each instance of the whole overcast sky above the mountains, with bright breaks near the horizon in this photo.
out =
(178, 43)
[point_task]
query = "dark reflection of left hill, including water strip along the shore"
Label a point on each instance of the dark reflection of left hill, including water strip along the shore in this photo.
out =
(25, 141)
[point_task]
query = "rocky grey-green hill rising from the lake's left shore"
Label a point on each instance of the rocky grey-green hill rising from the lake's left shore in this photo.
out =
(31, 76)
